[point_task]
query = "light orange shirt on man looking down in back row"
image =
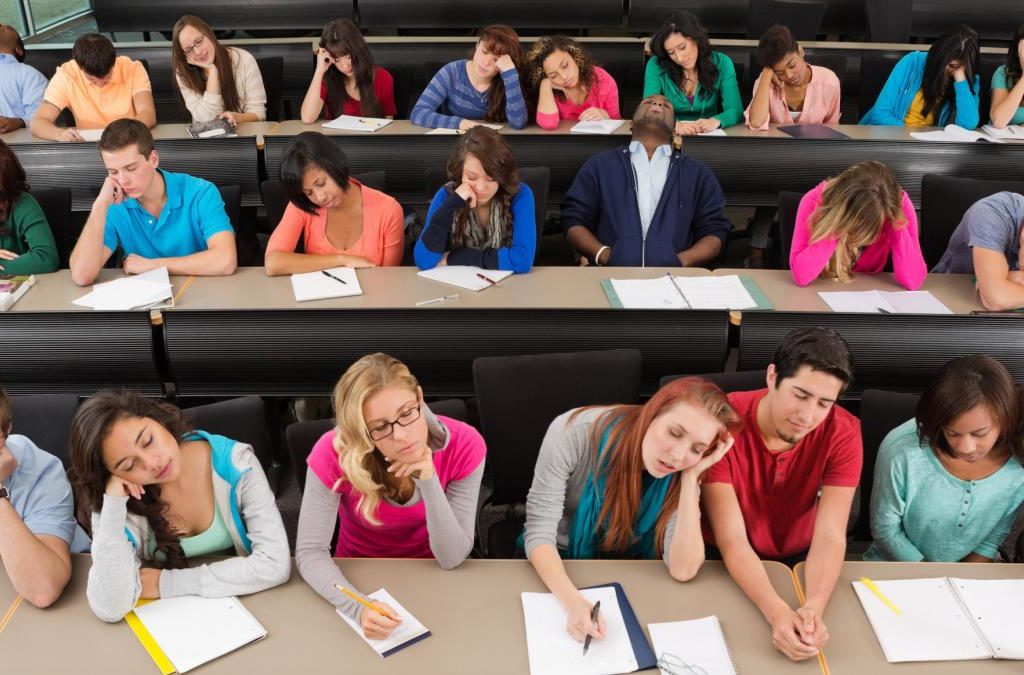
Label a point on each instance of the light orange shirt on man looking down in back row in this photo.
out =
(94, 107)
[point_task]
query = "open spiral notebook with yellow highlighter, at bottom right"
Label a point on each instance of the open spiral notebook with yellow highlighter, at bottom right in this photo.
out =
(947, 619)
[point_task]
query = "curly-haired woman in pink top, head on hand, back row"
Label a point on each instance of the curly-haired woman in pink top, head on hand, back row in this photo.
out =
(570, 86)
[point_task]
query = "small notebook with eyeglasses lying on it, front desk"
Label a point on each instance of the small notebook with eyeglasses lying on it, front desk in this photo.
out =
(698, 644)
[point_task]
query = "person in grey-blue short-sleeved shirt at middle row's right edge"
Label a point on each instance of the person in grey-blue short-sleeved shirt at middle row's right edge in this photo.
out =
(988, 244)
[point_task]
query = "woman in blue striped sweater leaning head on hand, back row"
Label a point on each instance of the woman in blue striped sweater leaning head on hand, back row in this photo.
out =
(485, 89)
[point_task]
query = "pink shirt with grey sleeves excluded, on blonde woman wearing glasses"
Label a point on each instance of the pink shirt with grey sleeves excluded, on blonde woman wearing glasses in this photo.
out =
(403, 533)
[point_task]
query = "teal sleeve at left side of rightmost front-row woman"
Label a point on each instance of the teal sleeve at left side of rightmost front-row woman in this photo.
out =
(889, 503)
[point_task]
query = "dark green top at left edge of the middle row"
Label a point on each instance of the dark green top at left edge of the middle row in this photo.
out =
(27, 234)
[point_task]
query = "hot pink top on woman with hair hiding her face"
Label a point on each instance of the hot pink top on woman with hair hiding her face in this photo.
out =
(808, 261)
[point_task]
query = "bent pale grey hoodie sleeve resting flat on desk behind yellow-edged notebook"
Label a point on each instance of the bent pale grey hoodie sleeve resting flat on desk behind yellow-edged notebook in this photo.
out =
(269, 564)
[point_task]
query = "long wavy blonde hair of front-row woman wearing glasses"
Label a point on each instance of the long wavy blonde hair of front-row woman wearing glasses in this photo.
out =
(363, 466)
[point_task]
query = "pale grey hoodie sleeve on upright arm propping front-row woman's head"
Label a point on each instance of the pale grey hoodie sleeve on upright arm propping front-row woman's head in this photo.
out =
(114, 585)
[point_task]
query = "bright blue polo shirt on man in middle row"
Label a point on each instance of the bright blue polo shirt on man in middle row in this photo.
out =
(193, 215)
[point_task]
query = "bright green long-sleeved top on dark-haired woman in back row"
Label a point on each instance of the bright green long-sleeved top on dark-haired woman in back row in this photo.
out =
(724, 103)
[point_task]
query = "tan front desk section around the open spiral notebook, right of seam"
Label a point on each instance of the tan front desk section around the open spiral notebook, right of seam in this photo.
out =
(854, 649)
